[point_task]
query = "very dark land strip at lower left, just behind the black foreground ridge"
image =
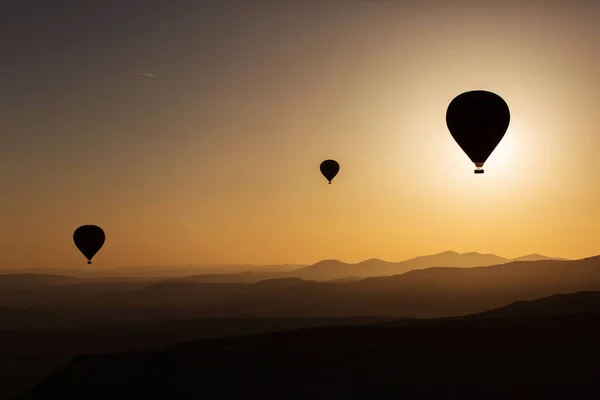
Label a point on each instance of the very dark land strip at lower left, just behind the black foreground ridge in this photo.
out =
(30, 355)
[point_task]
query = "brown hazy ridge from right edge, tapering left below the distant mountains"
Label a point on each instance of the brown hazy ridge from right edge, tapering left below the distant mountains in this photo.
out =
(428, 293)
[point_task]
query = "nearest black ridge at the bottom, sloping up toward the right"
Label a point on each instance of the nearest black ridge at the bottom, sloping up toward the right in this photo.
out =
(495, 357)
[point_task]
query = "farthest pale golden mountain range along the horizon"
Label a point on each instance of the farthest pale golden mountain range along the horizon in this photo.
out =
(321, 271)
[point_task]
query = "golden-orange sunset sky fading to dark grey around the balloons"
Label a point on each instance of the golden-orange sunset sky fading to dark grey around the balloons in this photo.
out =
(216, 159)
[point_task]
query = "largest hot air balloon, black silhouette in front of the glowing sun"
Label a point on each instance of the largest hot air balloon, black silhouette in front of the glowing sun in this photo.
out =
(478, 121)
